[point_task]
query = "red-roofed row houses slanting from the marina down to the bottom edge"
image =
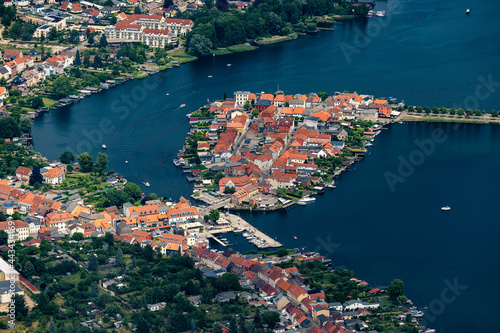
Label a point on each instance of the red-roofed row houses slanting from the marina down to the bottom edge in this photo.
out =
(283, 290)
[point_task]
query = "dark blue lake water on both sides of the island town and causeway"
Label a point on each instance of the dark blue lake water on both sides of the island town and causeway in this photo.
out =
(444, 58)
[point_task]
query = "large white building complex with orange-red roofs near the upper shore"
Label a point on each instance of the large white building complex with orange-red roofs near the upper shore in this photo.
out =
(154, 31)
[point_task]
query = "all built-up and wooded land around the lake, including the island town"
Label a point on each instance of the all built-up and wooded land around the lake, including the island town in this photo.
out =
(83, 249)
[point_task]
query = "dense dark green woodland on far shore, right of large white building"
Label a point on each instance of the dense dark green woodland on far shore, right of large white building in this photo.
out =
(220, 27)
